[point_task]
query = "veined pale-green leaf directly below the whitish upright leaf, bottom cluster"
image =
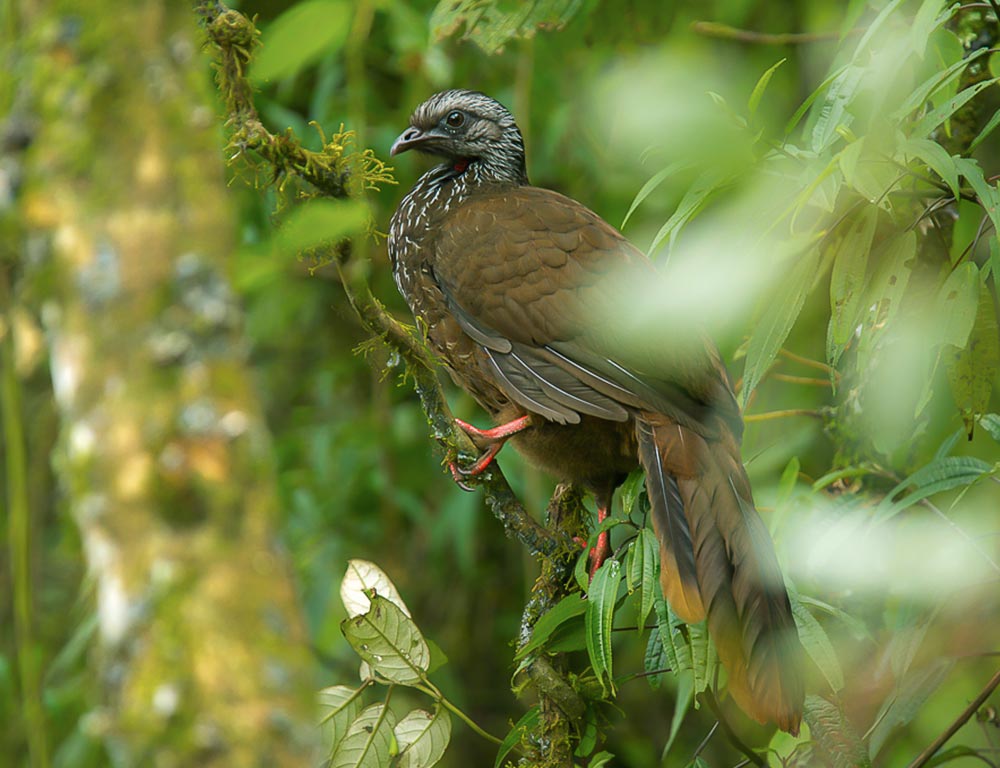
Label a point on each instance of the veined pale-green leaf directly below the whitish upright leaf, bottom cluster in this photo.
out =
(389, 641)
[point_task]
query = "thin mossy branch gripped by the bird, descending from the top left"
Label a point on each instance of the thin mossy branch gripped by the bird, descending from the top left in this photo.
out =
(335, 173)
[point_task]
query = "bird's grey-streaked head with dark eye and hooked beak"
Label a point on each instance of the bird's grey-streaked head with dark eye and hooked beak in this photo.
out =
(467, 127)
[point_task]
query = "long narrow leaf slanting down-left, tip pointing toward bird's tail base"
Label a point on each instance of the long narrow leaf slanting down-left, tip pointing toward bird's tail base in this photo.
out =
(777, 321)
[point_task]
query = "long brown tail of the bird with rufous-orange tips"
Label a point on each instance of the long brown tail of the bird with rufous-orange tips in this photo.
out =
(738, 581)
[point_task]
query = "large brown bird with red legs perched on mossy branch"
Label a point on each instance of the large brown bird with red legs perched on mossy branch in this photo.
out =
(523, 294)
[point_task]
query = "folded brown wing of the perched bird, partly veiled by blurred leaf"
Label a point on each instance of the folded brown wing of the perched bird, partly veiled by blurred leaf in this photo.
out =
(560, 277)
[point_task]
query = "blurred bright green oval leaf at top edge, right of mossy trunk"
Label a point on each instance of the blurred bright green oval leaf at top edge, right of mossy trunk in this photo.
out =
(300, 36)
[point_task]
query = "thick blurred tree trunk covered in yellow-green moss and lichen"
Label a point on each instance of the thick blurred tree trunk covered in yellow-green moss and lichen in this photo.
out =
(164, 460)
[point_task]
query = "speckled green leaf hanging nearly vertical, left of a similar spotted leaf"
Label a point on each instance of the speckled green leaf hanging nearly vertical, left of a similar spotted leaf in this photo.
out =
(847, 281)
